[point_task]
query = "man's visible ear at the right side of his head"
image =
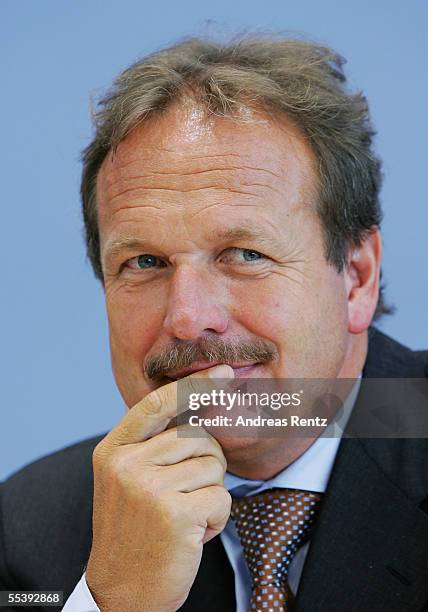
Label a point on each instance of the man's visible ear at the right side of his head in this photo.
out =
(362, 282)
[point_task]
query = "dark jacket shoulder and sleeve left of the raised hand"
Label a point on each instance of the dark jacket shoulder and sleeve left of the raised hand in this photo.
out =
(46, 516)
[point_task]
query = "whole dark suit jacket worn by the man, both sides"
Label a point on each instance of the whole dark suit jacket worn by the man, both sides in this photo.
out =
(369, 547)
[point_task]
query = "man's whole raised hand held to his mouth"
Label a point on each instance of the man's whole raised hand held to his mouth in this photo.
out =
(157, 499)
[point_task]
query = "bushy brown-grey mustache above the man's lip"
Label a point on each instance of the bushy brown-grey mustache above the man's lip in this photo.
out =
(183, 353)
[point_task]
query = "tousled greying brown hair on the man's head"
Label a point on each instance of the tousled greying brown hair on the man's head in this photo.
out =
(302, 80)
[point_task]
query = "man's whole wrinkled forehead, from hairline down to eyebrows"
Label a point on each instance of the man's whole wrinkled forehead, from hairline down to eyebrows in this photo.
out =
(183, 159)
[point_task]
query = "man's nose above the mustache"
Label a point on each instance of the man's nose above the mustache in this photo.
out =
(196, 304)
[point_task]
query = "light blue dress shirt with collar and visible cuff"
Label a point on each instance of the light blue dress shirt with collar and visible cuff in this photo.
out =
(310, 472)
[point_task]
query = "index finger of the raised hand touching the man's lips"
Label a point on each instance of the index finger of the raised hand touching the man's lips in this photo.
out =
(152, 414)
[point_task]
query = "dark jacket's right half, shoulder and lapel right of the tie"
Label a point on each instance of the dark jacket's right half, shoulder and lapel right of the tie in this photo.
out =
(370, 544)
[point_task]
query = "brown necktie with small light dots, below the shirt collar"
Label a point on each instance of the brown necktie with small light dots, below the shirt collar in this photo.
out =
(272, 526)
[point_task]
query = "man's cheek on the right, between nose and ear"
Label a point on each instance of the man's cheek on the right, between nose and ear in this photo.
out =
(306, 322)
